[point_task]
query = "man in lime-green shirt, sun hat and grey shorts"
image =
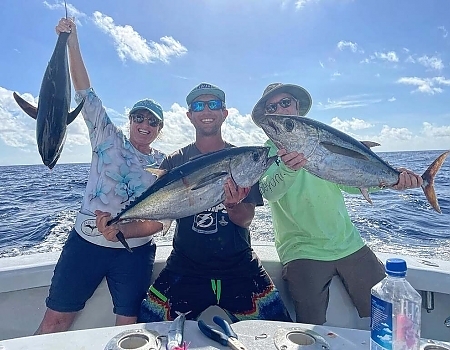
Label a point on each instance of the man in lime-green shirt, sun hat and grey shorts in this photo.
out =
(314, 236)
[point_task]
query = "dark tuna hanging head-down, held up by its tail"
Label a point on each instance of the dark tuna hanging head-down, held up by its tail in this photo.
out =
(52, 113)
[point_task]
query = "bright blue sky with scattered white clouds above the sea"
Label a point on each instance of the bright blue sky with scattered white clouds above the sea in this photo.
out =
(376, 69)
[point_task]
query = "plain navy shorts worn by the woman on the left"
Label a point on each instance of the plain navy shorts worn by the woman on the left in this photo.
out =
(83, 265)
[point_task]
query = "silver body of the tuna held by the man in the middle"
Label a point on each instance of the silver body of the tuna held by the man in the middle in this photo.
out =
(198, 184)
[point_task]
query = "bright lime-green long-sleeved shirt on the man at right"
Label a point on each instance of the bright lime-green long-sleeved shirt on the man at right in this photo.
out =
(310, 219)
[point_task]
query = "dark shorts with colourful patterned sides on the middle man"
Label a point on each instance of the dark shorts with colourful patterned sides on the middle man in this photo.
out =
(242, 298)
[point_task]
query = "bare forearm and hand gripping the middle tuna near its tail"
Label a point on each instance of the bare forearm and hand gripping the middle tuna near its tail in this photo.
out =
(134, 229)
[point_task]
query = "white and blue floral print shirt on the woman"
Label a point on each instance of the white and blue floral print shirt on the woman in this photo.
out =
(117, 173)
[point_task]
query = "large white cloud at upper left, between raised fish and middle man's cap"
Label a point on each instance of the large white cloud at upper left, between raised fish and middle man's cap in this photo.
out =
(130, 44)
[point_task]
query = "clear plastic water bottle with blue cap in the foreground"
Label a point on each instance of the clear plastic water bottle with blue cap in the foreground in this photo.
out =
(396, 311)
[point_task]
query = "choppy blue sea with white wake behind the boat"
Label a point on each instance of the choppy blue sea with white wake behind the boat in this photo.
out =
(38, 208)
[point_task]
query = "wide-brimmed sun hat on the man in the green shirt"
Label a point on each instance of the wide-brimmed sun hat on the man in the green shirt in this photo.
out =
(299, 93)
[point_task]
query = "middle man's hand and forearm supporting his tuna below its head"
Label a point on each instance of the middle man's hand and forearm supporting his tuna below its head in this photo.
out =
(239, 212)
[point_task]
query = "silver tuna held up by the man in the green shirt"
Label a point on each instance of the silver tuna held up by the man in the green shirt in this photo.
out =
(336, 157)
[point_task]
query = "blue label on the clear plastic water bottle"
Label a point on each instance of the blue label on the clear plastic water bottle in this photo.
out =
(380, 324)
